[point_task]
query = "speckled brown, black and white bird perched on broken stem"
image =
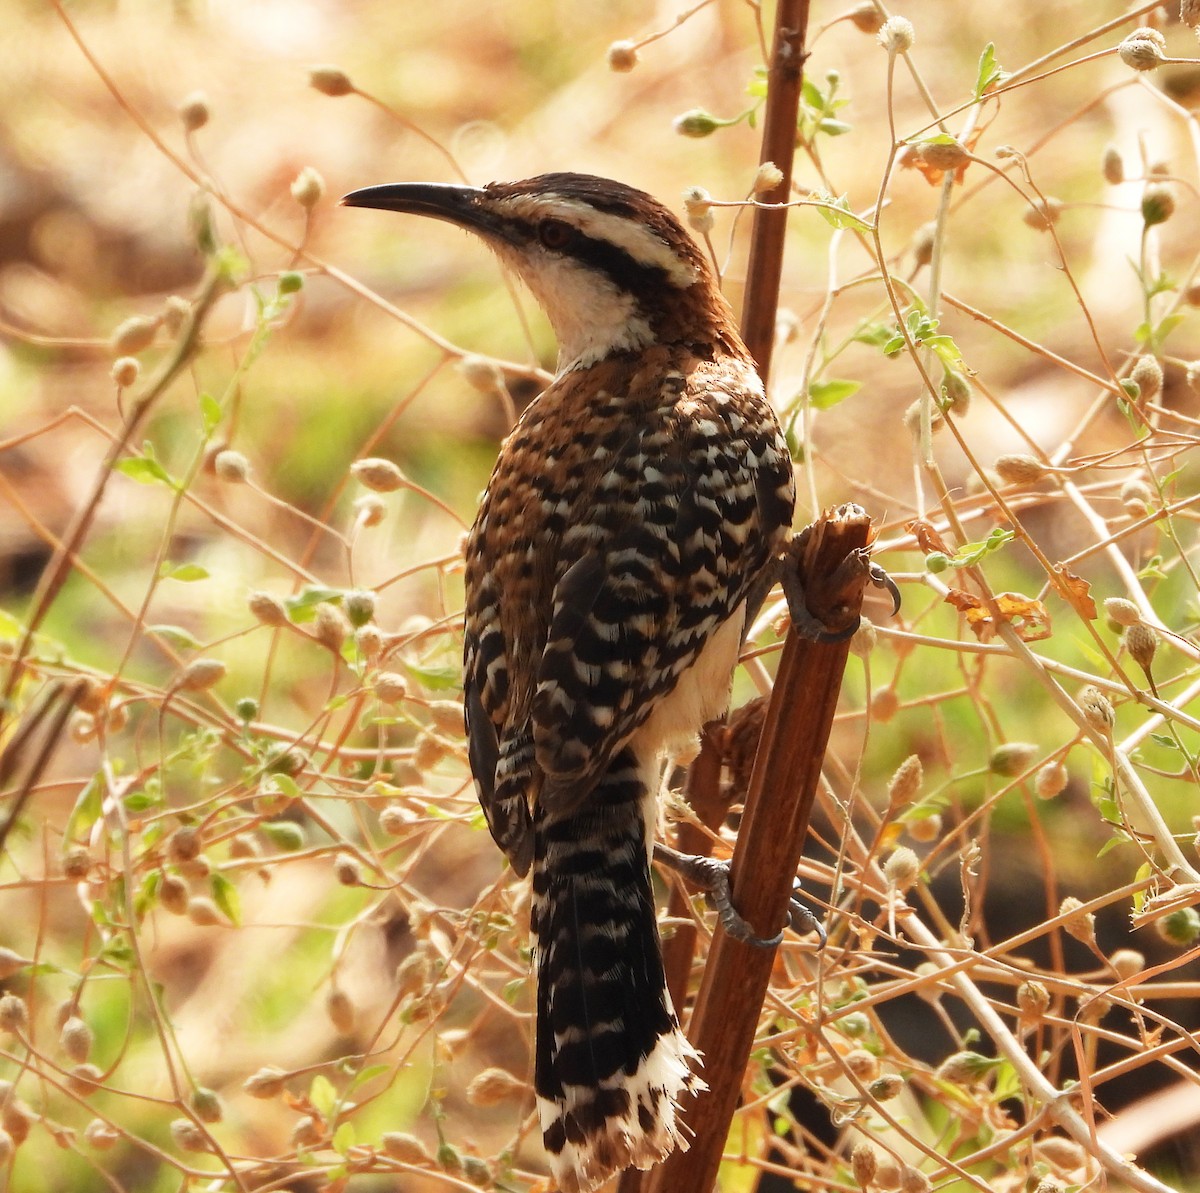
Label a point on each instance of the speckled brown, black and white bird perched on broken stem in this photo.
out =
(634, 513)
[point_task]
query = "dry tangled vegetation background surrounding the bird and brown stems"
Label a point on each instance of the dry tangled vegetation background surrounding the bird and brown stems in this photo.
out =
(254, 932)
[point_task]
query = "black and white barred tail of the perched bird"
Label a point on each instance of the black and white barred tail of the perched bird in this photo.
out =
(611, 1060)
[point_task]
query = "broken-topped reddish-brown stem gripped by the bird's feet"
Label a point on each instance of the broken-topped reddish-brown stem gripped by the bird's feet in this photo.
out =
(783, 788)
